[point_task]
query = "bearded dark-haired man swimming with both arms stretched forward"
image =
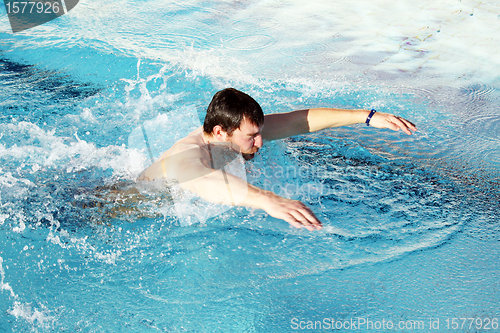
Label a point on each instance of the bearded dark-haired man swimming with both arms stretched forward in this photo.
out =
(236, 120)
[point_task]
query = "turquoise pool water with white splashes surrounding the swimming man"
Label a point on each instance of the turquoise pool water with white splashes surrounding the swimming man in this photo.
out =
(411, 222)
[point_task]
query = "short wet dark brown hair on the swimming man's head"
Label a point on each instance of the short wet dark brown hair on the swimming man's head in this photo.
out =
(228, 108)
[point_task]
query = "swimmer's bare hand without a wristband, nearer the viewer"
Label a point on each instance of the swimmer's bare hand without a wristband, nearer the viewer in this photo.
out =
(293, 211)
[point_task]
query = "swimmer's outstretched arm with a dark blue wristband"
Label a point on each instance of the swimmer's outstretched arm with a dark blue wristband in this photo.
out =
(282, 125)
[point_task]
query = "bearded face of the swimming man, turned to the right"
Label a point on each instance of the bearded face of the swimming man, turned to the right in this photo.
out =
(248, 137)
